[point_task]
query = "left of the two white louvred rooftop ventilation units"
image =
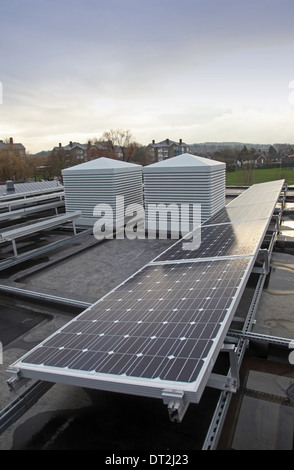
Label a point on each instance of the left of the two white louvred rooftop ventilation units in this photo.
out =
(102, 181)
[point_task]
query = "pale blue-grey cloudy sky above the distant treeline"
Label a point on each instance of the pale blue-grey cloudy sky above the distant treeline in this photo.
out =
(199, 70)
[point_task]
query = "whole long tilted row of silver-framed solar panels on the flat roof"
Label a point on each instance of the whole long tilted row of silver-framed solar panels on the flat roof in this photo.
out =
(162, 329)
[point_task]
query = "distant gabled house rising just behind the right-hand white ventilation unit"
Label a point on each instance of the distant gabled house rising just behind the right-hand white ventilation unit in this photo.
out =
(157, 152)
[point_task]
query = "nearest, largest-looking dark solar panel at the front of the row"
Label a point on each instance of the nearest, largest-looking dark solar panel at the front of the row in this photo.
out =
(160, 324)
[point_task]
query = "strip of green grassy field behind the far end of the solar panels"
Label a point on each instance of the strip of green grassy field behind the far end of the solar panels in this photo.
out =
(246, 178)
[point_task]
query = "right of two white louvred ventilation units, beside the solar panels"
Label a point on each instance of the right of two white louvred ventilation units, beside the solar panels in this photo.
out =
(184, 179)
